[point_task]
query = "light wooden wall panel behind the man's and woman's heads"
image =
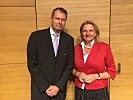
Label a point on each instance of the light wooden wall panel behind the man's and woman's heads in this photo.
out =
(78, 11)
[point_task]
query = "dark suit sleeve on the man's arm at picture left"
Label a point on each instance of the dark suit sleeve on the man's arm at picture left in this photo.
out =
(32, 62)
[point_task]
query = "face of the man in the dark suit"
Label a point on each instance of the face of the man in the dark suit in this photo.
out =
(58, 21)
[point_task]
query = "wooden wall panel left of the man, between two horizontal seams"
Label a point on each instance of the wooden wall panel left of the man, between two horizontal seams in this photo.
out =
(16, 25)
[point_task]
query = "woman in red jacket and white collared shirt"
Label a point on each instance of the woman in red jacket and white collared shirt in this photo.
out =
(94, 65)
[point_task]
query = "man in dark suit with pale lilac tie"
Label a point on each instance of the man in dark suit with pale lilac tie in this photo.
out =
(49, 69)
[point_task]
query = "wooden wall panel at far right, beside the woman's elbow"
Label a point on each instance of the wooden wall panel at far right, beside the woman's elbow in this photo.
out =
(122, 46)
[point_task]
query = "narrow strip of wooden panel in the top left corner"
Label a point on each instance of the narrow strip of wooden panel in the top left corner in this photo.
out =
(17, 3)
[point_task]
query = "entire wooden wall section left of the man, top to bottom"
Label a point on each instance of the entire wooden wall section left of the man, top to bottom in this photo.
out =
(17, 20)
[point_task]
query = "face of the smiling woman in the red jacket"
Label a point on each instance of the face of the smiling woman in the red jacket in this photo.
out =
(88, 32)
